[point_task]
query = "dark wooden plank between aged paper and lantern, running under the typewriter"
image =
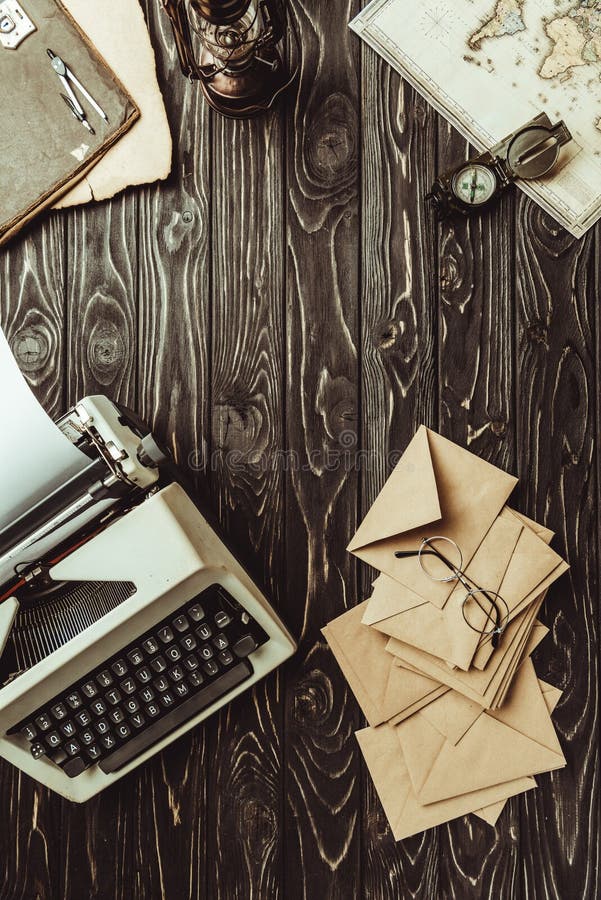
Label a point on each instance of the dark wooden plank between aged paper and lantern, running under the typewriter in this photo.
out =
(167, 832)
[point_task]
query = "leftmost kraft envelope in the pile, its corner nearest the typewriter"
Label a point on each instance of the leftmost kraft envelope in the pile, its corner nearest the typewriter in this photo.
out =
(382, 689)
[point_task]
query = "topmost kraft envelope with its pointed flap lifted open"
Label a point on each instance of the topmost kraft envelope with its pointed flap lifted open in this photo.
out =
(437, 488)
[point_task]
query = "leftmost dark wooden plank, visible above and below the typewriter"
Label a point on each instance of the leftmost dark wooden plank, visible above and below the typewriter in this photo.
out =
(32, 317)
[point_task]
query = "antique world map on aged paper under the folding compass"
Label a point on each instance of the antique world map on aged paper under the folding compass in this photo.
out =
(524, 57)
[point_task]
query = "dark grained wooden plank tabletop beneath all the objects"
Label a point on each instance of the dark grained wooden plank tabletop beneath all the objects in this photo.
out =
(286, 312)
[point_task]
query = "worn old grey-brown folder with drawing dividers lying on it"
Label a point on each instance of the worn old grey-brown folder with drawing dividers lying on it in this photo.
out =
(45, 150)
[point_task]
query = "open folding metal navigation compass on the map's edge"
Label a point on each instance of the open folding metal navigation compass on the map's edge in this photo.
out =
(528, 153)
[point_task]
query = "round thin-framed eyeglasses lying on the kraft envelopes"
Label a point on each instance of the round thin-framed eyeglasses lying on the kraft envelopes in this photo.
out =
(483, 610)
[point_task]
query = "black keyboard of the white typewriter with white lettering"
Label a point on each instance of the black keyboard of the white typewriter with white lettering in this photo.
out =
(152, 686)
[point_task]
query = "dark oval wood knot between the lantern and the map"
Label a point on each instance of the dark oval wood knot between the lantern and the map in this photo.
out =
(331, 143)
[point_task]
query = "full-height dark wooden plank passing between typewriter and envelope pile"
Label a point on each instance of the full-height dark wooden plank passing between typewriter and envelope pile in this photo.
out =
(323, 790)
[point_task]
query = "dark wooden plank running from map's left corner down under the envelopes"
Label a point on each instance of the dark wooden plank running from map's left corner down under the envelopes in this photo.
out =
(398, 369)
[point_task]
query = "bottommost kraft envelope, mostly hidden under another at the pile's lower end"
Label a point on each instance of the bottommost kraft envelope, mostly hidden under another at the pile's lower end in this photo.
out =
(405, 813)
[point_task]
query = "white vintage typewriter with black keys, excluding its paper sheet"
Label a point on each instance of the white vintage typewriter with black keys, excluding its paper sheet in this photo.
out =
(125, 619)
